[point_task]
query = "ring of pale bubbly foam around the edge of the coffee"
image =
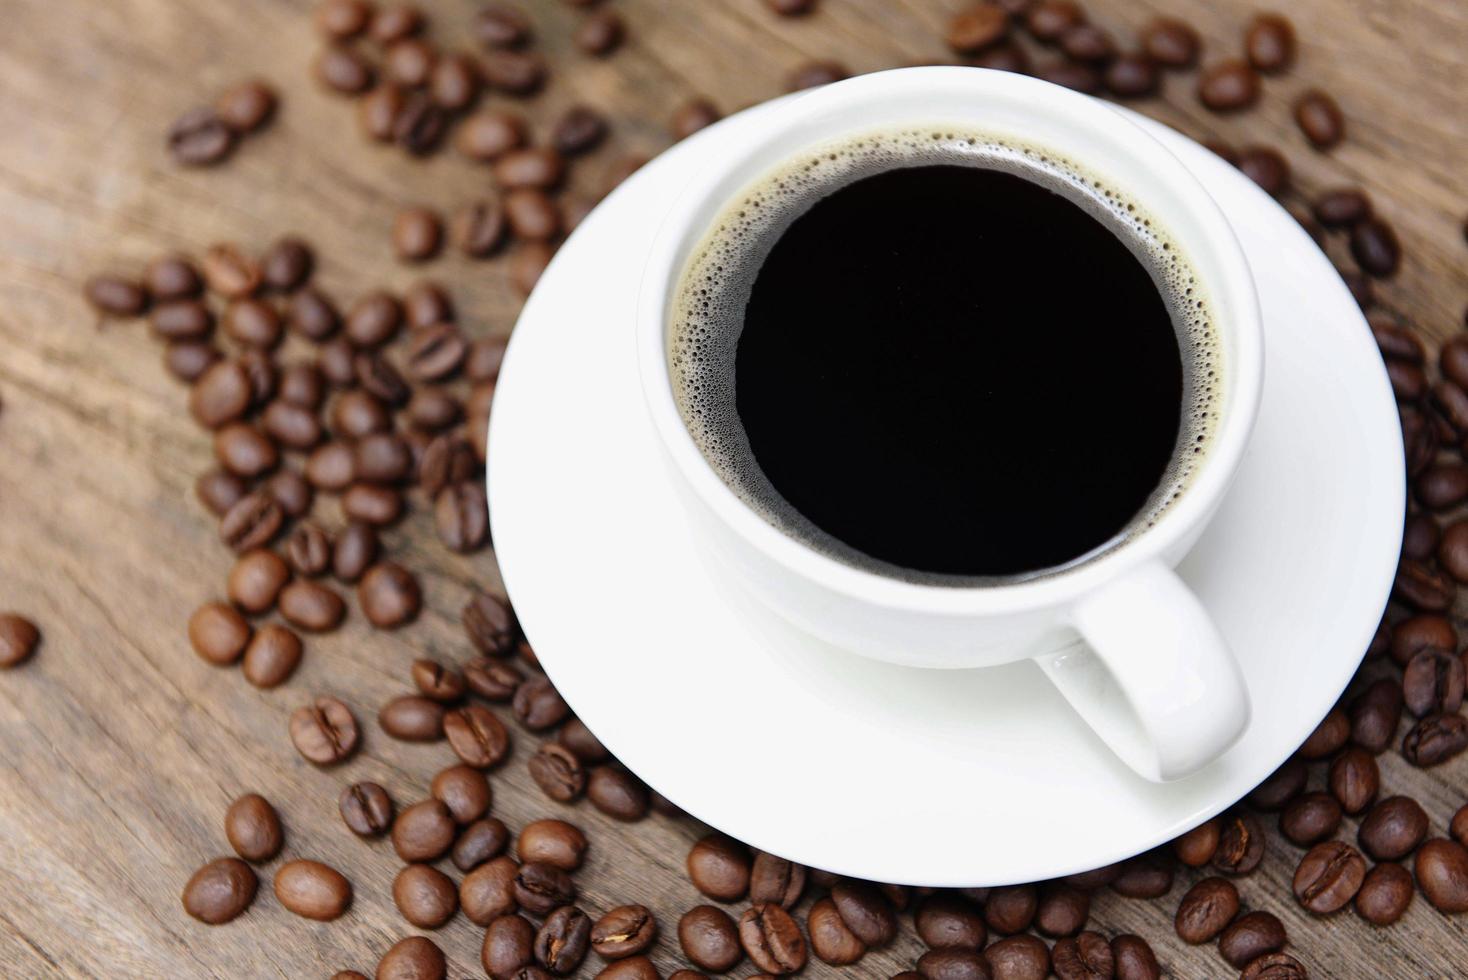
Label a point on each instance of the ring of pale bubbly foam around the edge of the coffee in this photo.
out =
(708, 312)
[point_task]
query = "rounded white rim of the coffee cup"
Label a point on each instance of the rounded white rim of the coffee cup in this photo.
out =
(1229, 282)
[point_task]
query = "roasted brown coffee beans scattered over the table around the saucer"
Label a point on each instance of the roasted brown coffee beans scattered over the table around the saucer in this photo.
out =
(381, 422)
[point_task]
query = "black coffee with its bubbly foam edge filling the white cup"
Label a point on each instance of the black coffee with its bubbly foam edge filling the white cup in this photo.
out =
(945, 365)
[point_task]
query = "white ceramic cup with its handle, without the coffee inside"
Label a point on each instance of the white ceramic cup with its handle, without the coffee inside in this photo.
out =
(1121, 636)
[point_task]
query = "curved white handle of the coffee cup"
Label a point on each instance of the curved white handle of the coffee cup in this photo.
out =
(1155, 680)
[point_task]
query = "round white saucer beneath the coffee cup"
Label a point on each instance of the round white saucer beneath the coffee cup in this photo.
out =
(899, 774)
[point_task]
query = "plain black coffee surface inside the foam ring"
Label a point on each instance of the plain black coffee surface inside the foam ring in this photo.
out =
(959, 372)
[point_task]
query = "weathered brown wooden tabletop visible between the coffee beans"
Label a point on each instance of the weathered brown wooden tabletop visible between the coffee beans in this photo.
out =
(120, 749)
